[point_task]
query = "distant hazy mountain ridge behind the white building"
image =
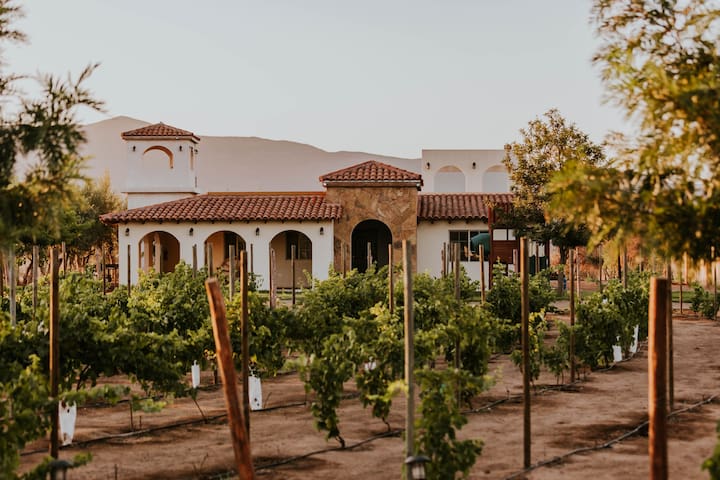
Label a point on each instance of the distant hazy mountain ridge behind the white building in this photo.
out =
(231, 163)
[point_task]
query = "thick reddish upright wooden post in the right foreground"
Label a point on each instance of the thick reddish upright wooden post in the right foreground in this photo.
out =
(657, 364)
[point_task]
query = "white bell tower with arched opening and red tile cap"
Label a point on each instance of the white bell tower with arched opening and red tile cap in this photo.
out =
(162, 164)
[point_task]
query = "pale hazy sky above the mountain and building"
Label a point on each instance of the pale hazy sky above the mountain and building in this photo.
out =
(382, 76)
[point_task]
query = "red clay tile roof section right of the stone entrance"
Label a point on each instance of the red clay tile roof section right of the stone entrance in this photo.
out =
(459, 206)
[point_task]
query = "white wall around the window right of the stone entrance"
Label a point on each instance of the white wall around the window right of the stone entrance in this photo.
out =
(431, 237)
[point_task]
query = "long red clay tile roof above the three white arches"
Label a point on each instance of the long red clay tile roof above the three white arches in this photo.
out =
(232, 207)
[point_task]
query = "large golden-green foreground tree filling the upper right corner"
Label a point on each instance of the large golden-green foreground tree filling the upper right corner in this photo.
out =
(659, 62)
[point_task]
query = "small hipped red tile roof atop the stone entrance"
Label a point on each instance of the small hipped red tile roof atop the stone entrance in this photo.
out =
(372, 173)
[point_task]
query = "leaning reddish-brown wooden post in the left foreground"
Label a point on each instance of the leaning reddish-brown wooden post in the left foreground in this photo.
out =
(238, 432)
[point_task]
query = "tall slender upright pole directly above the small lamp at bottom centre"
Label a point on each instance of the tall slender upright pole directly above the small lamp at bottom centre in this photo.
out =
(409, 352)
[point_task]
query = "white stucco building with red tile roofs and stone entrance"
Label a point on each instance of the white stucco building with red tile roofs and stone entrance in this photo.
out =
(349, 217)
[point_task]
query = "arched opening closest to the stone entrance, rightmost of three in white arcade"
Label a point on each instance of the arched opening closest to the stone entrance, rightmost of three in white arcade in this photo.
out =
(282, 244)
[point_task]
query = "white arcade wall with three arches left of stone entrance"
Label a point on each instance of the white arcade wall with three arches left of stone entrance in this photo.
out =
(322, 245)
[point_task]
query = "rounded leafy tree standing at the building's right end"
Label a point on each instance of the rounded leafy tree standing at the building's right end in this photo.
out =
(547, 145)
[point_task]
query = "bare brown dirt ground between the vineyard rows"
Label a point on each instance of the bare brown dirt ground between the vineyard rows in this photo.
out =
(285, 445)
